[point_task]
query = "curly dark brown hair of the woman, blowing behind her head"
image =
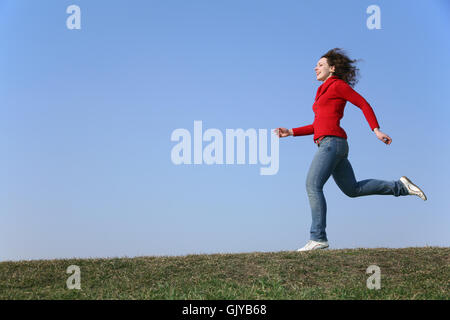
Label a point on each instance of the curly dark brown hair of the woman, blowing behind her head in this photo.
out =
(345, 68)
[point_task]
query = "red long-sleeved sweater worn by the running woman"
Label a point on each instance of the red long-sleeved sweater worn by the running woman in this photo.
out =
(329, 106)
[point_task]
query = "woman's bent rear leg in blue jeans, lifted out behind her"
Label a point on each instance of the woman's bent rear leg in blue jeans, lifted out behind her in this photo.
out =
(344, 177)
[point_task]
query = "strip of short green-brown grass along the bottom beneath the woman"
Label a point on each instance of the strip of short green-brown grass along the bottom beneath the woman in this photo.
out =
(409, 273)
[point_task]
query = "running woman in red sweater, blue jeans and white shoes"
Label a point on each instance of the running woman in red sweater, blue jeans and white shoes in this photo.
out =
(338, 74)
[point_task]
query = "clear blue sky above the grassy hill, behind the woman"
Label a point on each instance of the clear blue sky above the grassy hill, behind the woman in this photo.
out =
(86, 118)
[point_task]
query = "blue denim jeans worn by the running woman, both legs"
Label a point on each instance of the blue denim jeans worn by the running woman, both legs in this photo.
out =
(331, 159)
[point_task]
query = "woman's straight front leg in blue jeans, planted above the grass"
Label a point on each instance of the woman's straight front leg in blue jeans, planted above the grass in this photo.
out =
(324, 162)
